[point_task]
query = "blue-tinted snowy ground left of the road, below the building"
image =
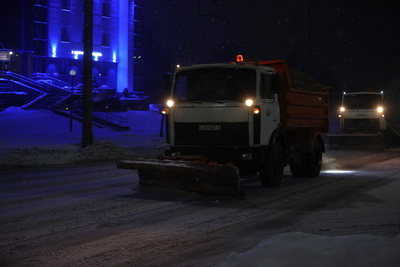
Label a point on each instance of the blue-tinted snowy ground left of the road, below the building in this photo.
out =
(40, 137)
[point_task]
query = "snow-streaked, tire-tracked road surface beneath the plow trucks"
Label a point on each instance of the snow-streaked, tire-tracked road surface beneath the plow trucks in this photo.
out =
(98, 215)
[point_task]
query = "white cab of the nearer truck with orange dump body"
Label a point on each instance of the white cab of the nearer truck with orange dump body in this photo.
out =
(222, 105)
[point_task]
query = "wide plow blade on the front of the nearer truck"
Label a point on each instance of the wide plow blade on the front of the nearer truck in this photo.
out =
(191, 174)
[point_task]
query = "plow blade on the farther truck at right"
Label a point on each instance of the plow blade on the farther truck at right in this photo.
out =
(357, 140)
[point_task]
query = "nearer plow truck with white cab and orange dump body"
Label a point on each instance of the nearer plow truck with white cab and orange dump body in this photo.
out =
(230, 120)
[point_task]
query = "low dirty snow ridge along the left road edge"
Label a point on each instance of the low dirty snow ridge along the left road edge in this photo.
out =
(102, 151)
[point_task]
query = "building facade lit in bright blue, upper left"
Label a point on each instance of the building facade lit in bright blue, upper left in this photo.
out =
(53, 42)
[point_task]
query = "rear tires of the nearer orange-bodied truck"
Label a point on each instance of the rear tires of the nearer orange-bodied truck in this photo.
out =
(309, 165)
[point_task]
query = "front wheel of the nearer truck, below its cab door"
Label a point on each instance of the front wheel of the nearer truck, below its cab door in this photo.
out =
(272, 172)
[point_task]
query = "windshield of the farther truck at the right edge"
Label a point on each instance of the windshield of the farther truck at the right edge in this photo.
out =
(362, 101)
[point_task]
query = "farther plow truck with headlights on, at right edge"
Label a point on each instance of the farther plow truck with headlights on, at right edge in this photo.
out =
(368, 119)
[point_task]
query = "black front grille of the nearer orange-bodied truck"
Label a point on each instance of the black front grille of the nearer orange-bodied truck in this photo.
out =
(212, 134)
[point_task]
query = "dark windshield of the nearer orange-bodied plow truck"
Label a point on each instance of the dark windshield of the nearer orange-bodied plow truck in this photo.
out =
(214, 84)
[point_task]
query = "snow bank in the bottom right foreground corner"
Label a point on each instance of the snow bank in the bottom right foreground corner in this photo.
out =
(301, 249)
